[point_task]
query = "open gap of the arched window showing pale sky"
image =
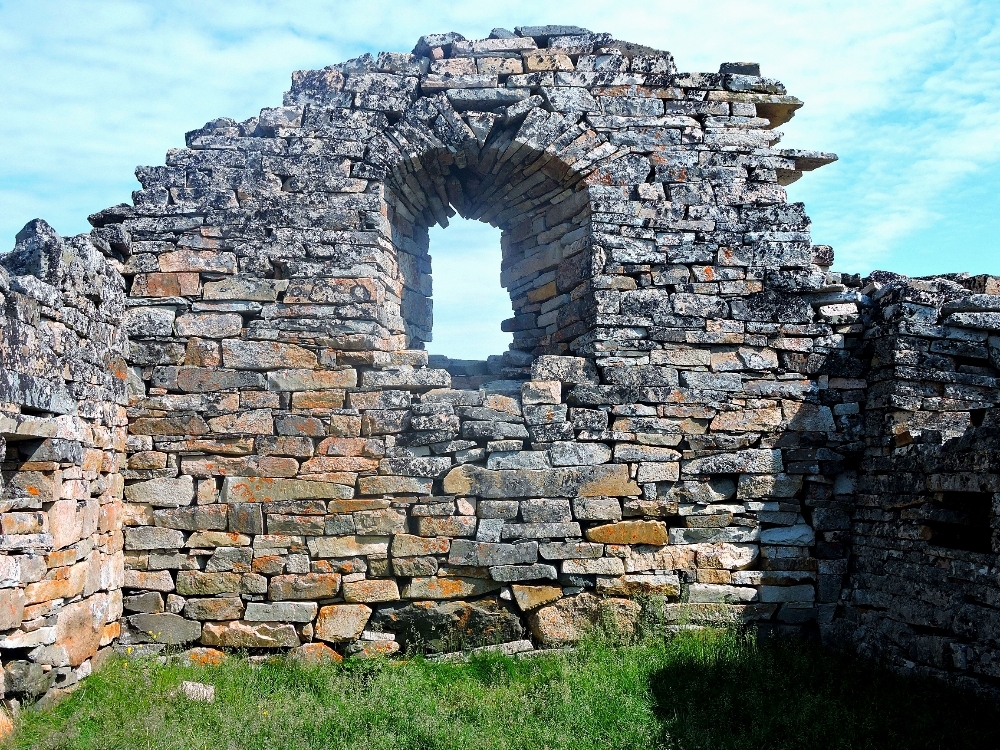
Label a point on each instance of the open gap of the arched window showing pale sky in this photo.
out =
(469, 303)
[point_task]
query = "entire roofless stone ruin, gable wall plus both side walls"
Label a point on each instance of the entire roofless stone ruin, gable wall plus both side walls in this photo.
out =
(695, 411)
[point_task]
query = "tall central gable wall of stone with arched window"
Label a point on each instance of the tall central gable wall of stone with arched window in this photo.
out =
(297, 471)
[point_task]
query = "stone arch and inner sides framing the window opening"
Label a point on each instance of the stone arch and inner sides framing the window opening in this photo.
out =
(509, 172)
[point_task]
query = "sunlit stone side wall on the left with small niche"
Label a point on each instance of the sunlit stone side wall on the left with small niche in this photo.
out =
(62, 444)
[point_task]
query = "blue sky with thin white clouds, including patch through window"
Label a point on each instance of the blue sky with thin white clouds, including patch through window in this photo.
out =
(907, 92)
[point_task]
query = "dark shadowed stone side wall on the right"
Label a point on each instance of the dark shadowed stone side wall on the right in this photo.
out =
(921, 588)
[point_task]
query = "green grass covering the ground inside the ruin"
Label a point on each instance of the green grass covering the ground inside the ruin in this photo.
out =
(707, 689)
